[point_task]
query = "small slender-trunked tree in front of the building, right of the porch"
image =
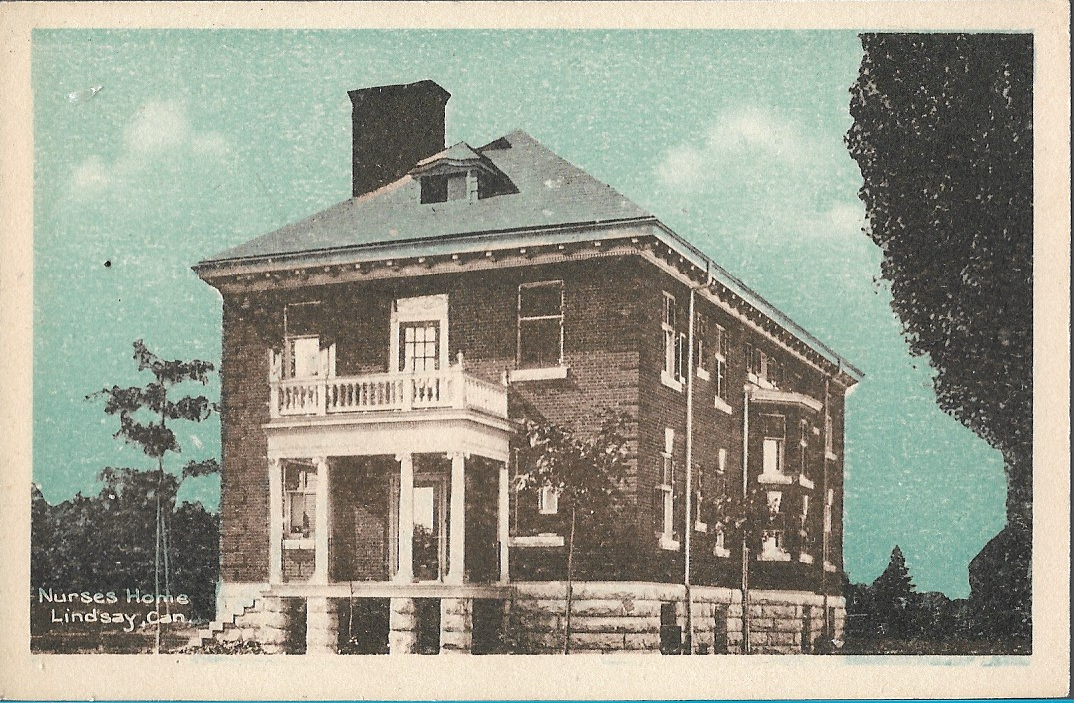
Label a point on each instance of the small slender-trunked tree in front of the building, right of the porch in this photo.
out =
(587, 473)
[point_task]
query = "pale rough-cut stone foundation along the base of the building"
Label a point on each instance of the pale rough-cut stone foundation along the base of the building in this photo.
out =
(606, 618)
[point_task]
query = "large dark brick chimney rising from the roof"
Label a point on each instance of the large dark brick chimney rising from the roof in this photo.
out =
(395, 128)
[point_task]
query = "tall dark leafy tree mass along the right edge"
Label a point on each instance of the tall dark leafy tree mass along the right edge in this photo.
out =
(944, 136)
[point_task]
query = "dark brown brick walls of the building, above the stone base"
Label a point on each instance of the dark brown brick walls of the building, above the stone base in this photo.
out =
(614, 348)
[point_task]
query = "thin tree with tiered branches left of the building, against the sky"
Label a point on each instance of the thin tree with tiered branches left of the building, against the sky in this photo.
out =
(144, 414)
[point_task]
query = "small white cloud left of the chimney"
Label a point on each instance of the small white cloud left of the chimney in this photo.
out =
(159, 134)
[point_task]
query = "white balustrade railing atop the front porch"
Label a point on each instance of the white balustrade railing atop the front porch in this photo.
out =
(451, 388)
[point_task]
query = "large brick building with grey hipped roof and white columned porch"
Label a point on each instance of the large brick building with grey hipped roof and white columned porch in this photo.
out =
(379, 356)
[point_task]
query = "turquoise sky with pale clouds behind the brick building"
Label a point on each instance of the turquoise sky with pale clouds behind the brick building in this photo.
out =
(201, 140)
